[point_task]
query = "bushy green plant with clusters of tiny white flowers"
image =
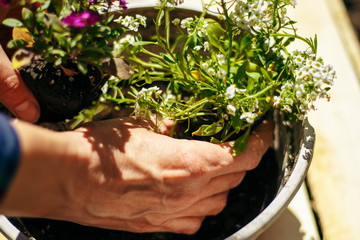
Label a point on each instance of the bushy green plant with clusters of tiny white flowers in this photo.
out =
(221, 74)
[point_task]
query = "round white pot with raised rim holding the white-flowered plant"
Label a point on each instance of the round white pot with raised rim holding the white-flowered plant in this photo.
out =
(293, 146)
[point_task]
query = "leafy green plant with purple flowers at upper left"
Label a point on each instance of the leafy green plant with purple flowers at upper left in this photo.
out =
(60, 31)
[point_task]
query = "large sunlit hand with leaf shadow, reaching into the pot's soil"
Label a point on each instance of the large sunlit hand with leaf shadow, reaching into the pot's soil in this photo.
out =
(118, 174)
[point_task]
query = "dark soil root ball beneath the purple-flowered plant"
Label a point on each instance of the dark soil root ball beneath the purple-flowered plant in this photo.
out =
(61, 96)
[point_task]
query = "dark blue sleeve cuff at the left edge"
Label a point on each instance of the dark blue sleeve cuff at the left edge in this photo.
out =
(9, 154)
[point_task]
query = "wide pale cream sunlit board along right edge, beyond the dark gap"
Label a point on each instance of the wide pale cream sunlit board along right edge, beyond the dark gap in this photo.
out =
(334, 177)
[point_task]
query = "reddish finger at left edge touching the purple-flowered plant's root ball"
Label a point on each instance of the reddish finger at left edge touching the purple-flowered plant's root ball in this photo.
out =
(14, 94)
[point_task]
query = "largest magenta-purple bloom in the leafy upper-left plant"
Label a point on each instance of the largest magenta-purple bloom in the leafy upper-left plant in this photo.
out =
(81, 19)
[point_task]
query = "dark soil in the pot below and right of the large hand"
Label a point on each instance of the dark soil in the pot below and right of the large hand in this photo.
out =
(245, 202)
